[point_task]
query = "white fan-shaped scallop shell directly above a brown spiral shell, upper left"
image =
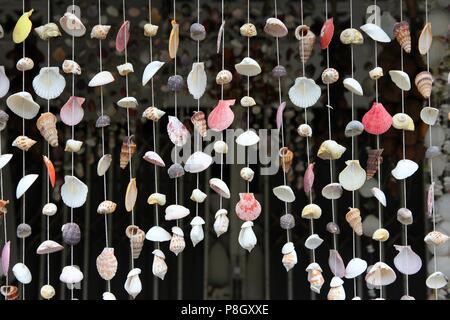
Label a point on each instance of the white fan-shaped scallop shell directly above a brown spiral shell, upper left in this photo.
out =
(49, 84)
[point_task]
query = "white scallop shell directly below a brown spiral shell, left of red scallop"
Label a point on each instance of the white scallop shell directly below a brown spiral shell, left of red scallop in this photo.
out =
(304, 93)
